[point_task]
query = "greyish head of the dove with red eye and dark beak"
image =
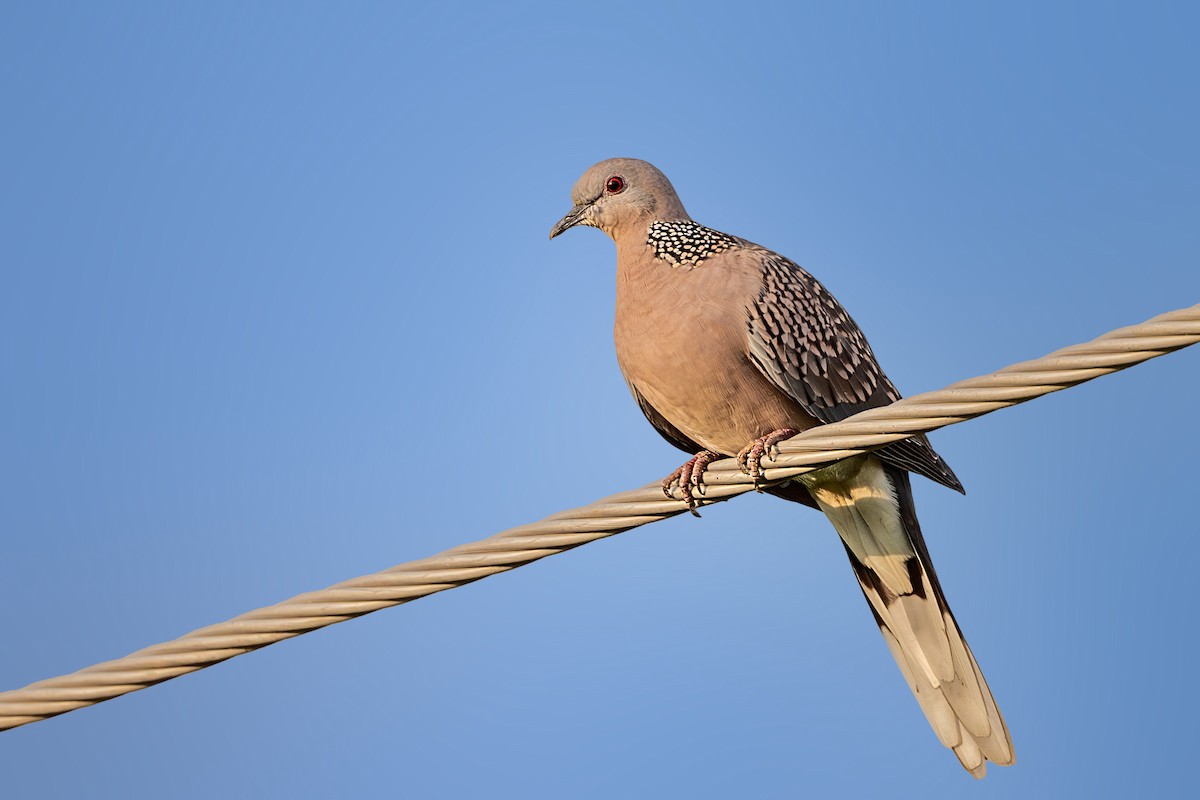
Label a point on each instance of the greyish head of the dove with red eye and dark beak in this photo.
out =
(622, 195)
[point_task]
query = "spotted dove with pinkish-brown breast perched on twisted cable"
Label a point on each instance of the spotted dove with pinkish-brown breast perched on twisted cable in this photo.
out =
(730, 348)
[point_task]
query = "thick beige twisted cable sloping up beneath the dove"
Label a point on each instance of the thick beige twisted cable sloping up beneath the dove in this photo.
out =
(568, 530)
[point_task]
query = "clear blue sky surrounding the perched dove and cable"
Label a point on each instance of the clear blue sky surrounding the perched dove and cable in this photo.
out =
(279, 310)
